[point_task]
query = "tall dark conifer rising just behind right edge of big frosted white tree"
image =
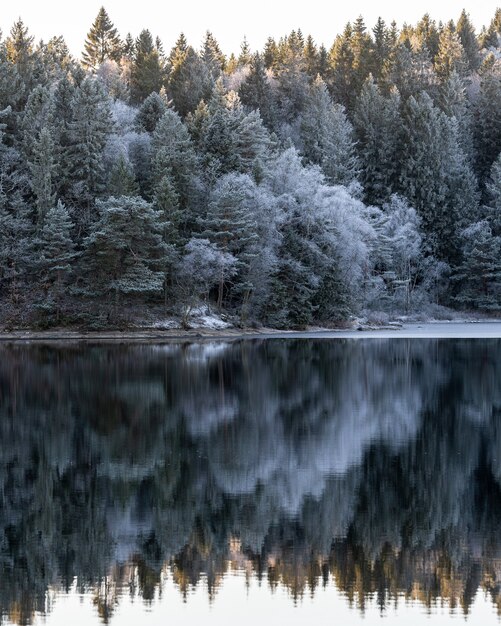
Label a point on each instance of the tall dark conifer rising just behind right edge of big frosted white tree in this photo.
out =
(378, 126)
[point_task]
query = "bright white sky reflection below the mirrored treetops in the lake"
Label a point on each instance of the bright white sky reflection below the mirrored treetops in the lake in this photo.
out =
(257, 604)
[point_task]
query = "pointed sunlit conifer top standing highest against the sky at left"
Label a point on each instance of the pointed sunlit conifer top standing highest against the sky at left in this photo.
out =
(102, 43)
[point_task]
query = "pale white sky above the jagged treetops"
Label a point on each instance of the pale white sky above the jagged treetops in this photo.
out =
(229, 20)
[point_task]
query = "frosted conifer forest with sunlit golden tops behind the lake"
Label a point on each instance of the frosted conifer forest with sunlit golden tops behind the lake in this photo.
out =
(291, 186)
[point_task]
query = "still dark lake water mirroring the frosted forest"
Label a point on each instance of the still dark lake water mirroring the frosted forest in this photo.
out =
(340, 481)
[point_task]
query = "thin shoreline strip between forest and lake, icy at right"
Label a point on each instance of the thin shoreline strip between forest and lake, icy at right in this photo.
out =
(415, 330)
